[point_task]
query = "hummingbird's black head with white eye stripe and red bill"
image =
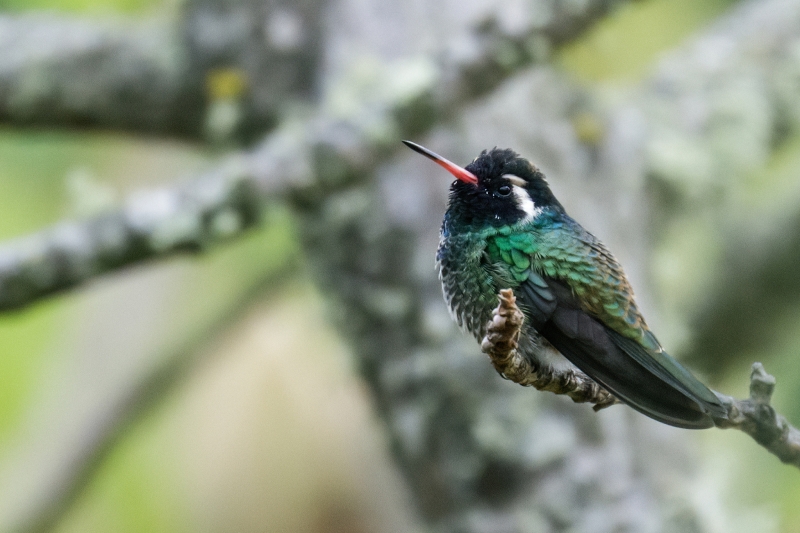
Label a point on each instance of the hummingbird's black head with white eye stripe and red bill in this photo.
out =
(498, 188)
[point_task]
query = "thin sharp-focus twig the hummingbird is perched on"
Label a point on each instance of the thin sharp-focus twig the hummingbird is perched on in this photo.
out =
(754, 415)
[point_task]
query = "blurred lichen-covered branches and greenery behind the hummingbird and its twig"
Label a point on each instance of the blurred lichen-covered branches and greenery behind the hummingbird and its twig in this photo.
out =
(218, 304)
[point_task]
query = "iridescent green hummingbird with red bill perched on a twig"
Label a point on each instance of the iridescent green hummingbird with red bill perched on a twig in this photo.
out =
(504, 228)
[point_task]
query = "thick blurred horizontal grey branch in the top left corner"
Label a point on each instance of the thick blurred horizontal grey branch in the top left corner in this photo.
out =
(57, 70)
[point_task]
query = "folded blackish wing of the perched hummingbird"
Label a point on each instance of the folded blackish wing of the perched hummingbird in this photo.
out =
(651, 382)
